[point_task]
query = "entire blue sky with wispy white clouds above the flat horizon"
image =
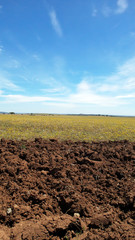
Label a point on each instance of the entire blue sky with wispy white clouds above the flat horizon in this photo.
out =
(67, 56)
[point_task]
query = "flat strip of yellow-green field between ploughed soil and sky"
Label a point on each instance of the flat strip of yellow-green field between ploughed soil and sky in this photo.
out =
(76, 128)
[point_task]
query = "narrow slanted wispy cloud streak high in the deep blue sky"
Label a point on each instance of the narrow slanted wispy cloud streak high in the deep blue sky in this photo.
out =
(55, 23)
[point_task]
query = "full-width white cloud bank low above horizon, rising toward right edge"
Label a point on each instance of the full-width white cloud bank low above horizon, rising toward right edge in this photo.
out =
(104, 91)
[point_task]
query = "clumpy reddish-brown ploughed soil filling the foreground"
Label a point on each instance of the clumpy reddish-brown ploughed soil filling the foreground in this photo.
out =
(66, 190)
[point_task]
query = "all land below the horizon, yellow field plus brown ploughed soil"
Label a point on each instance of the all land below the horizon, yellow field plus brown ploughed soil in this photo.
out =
(73, 186)
